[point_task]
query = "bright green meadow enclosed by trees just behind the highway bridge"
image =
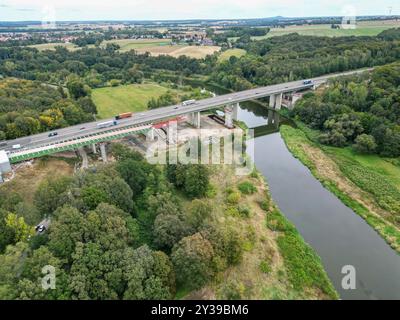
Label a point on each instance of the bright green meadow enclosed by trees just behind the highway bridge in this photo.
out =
(129, 98)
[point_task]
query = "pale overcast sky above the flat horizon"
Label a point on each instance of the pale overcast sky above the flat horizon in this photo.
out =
(14, 10)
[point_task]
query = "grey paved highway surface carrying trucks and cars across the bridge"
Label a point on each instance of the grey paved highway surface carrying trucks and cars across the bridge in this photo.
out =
(152, 116)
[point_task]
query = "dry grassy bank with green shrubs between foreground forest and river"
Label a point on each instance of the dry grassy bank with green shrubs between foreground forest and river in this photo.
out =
(277, 263)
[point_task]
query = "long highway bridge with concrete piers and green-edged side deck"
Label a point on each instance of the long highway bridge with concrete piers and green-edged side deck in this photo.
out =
(88, 133)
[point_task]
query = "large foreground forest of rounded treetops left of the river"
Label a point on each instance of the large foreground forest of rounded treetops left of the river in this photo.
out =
(122, 226)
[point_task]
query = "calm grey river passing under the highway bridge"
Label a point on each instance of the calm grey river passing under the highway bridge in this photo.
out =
(337, 234)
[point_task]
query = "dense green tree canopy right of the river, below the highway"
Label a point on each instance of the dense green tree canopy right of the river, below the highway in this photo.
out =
(362, 110)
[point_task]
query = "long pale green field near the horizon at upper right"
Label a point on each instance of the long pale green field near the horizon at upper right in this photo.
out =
(365, 28)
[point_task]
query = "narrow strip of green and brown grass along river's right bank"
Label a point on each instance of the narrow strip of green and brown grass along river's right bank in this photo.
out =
(325, 167)
